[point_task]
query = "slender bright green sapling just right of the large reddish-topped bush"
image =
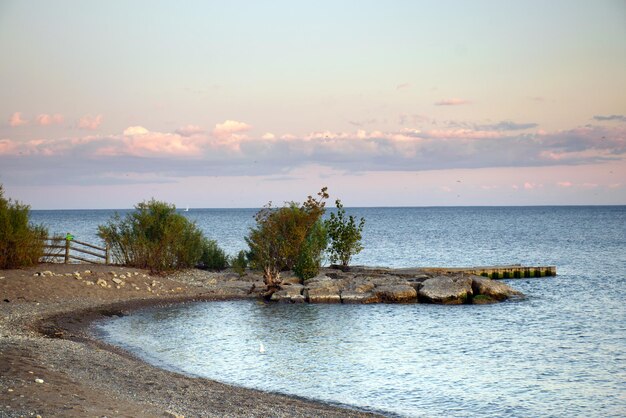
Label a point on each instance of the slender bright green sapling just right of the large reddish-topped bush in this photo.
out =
(345, 235)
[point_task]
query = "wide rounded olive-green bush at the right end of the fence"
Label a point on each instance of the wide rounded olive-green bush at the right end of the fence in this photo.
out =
(154, 237)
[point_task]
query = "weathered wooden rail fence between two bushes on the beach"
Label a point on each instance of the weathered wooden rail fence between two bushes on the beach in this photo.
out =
(73, 250)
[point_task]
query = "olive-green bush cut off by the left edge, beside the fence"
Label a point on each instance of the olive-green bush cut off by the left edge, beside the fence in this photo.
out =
(21, 244)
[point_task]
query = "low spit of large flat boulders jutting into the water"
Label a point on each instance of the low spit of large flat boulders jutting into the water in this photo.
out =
(365, 285)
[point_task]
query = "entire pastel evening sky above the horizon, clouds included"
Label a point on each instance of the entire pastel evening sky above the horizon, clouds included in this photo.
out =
(105, 104)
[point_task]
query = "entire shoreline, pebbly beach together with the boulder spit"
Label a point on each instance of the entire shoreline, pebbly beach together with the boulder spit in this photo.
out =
(52, 366)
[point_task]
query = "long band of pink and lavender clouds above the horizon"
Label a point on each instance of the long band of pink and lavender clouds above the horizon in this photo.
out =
(231, 150)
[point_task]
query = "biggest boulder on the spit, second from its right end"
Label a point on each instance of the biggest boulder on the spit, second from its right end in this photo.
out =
(446, 290)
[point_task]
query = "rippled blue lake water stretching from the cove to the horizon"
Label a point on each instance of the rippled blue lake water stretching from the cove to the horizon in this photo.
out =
(559, 352)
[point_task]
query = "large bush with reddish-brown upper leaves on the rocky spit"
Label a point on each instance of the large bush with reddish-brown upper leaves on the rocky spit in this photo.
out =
(279, 236)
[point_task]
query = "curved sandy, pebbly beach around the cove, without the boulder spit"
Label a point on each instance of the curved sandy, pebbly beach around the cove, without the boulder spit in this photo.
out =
(51, 366)
